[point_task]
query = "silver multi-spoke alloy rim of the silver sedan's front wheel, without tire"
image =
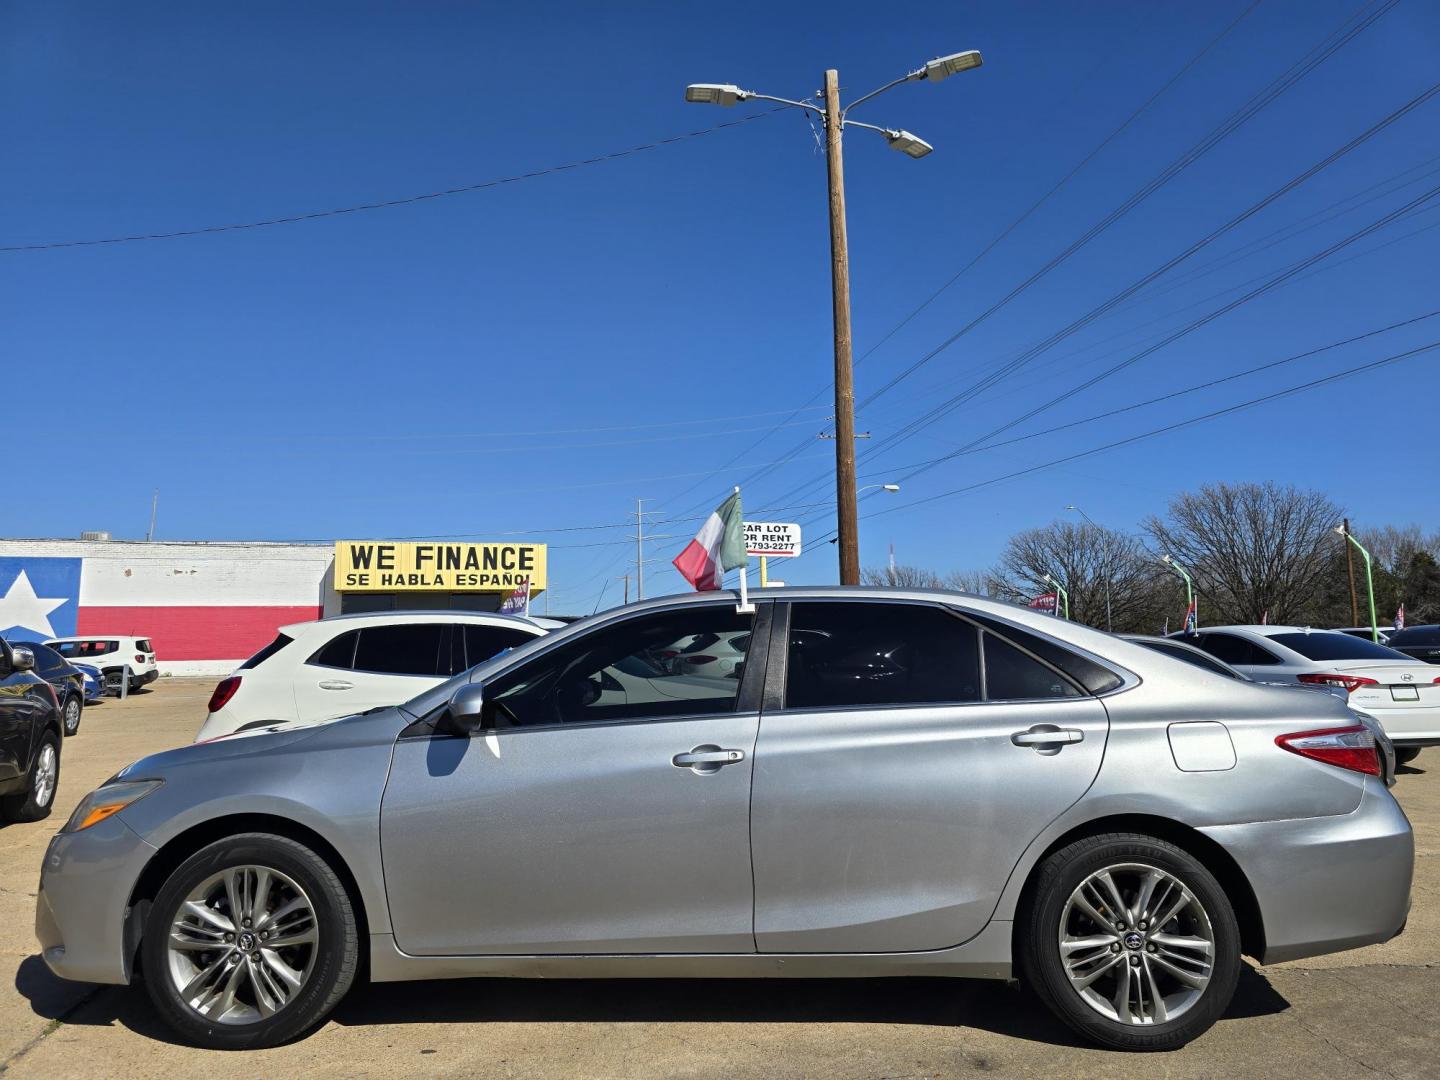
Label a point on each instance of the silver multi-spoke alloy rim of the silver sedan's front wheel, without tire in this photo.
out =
(243, 945)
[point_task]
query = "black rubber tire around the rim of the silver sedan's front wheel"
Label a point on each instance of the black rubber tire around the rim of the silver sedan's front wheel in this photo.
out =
(330, 973)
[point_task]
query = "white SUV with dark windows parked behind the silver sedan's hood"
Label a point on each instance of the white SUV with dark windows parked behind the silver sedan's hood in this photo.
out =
(351, 663)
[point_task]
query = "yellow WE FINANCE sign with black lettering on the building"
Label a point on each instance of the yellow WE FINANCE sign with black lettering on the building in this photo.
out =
(375, 567)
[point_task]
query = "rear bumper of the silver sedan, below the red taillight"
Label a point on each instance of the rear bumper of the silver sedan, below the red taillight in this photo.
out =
(1327, 885)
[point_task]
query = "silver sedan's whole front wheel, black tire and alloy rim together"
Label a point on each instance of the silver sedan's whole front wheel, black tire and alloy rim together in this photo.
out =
(250, 944)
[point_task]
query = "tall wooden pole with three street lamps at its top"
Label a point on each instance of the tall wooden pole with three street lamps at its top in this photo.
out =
(834, 120)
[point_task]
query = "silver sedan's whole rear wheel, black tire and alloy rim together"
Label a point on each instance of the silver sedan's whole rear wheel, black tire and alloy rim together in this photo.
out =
(1131, 942)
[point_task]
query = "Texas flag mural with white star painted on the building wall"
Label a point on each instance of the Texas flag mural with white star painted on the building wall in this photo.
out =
(198, 611)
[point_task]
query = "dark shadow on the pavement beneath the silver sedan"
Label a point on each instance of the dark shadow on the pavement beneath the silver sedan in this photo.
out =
(1003, 1009)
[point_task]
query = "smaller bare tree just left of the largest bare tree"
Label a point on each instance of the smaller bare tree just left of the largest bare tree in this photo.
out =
(1089, 561)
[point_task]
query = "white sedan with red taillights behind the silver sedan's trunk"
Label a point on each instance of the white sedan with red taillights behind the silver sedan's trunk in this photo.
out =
(1402, 693)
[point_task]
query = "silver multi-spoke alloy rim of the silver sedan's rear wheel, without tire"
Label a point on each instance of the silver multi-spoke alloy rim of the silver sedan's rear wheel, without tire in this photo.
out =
(1137, 944)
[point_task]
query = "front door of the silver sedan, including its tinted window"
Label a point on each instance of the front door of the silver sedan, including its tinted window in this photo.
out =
(604, 810)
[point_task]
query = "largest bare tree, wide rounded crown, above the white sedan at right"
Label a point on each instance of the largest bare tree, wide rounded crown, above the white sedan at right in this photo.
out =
(1254, 549)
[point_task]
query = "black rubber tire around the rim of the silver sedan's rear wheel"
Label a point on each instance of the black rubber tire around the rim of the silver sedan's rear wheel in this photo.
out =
(1042, 966)
